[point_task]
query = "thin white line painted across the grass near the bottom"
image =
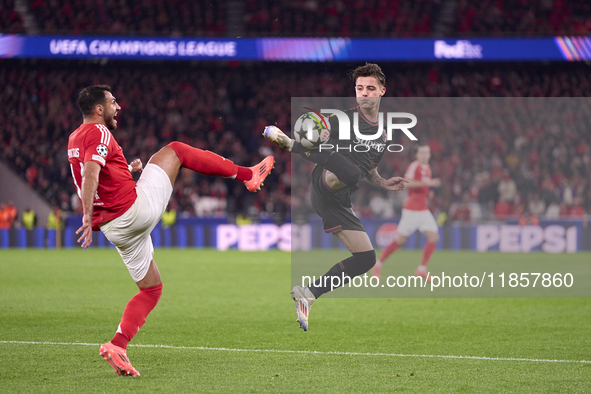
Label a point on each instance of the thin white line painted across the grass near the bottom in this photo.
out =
(311, 352)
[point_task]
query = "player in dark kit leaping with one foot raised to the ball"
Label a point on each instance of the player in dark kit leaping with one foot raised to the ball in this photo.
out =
(335, 176)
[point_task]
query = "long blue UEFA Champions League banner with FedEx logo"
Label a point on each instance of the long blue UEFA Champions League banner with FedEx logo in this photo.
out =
(297, 49)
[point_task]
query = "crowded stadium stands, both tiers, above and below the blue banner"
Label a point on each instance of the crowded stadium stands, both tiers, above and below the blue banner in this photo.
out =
(224, 107)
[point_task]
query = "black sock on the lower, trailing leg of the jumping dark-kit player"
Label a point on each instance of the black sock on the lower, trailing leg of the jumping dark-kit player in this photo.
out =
(358, 264)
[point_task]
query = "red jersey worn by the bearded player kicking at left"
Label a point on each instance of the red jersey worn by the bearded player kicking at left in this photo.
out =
(116, 188)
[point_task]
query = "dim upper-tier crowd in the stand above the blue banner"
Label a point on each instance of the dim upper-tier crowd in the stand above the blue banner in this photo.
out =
(303, 18)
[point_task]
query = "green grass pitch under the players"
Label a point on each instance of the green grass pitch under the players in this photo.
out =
(67, 302)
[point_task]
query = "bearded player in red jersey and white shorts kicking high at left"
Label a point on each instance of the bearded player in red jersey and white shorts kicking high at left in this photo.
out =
(127, 212)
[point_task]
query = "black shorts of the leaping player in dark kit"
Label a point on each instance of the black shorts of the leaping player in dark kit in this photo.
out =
(335, 215)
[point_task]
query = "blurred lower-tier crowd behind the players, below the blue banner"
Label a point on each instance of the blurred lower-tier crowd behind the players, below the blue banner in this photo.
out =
(498, 168)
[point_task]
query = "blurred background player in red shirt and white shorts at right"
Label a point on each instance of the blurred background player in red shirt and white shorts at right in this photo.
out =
(415, 212)
